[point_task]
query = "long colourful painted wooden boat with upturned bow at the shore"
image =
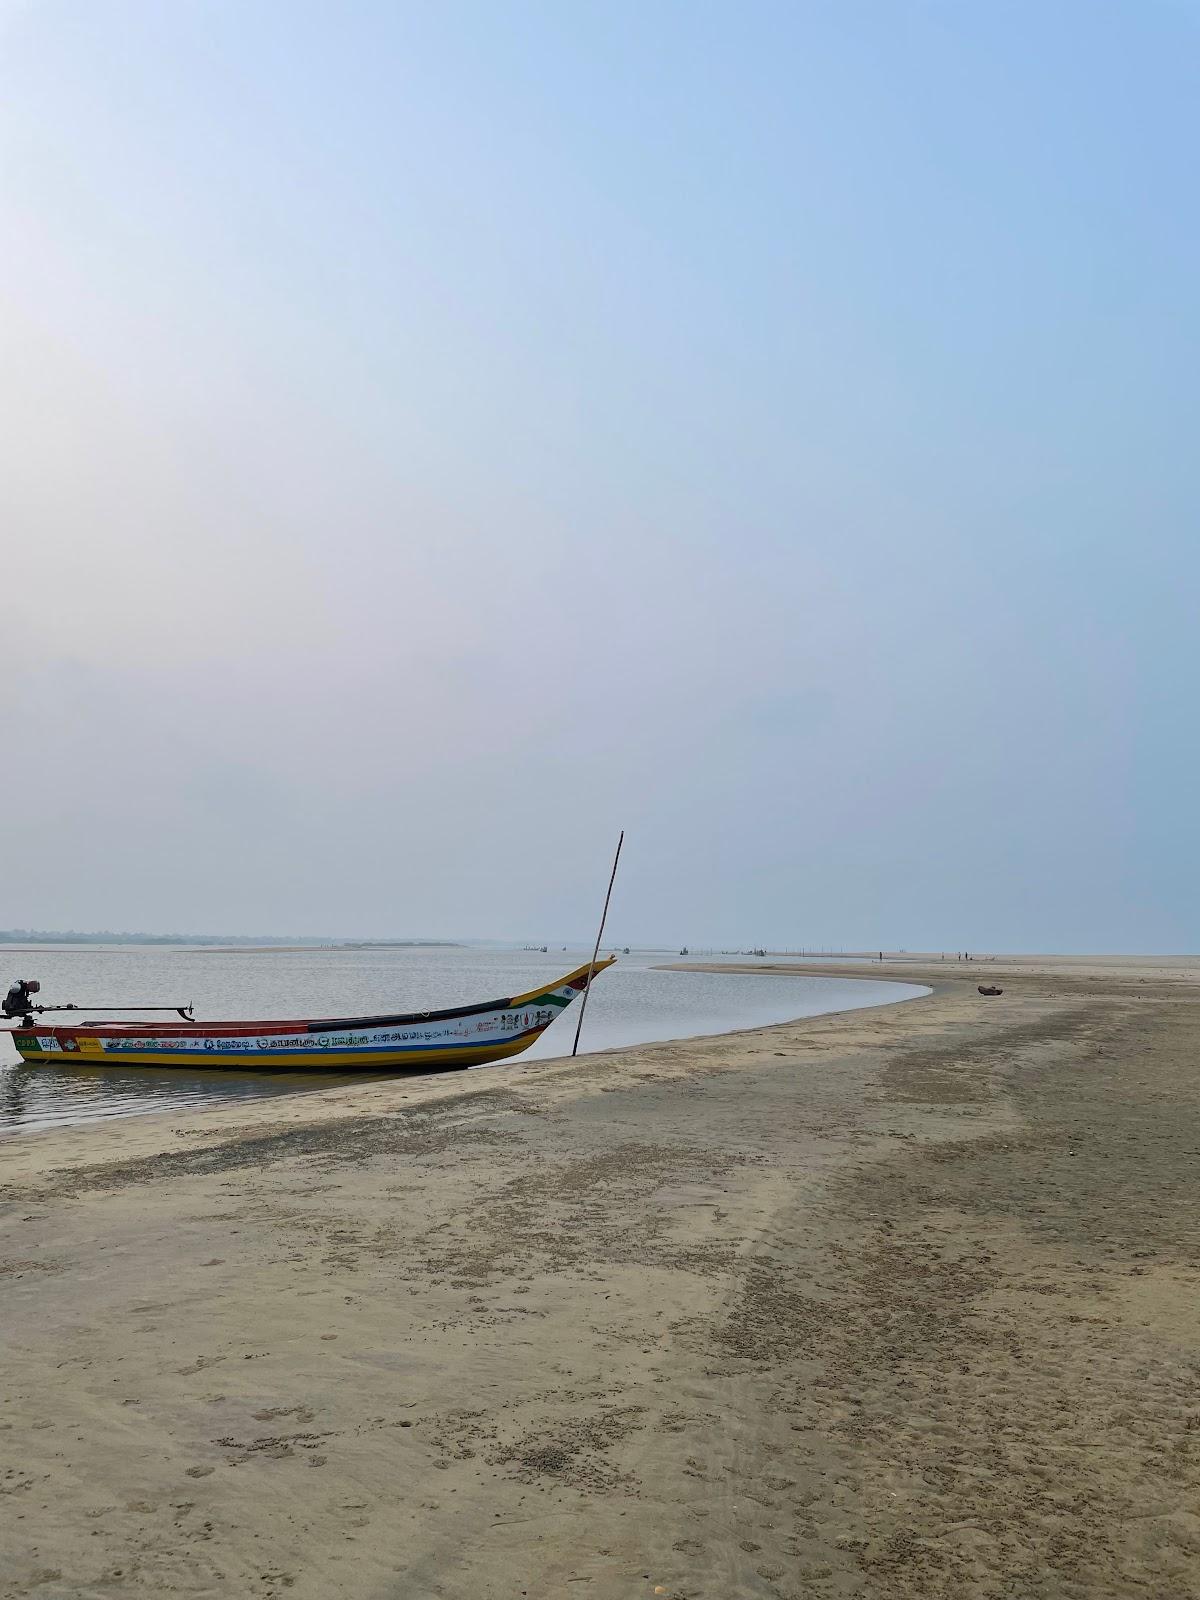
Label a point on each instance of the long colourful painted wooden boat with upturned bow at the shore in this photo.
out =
(460, 1038)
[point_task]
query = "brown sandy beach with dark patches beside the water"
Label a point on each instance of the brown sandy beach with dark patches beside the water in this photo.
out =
(897, 1303)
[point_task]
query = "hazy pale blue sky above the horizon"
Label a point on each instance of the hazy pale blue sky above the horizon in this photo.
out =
(438, 436)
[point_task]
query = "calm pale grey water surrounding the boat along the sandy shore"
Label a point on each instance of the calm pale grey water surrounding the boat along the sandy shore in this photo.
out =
(633, 1004)
